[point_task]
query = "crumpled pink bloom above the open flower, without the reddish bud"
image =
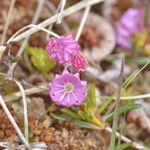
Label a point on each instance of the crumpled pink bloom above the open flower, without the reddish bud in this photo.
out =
(61, 49)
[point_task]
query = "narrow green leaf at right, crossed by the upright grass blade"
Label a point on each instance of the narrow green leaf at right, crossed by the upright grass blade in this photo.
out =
(122, 110)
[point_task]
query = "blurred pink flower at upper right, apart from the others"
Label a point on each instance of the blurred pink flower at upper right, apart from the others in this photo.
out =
(132, 21)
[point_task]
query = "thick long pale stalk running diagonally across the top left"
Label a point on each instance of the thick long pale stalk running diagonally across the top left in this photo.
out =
(52, 19)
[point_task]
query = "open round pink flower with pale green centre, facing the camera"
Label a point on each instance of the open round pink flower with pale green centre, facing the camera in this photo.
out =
(67, 89)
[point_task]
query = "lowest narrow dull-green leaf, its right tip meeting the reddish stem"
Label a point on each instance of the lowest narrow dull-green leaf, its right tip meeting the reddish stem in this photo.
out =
(86, 125)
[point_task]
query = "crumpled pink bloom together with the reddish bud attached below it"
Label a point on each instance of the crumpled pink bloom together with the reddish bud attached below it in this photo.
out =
(66, 50)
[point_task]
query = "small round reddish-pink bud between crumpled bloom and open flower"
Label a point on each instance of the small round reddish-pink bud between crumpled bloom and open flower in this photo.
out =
(78, 62)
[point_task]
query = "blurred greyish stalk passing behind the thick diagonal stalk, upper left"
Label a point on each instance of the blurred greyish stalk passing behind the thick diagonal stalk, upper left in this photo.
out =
(34, 21)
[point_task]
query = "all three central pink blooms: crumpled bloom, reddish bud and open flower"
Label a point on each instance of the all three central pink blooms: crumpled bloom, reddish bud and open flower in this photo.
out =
(67, 89)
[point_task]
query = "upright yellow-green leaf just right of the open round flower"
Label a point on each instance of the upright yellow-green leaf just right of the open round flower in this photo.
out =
(90, 103)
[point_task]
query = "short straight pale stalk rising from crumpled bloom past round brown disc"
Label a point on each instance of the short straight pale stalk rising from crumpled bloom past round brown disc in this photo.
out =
(82, 23)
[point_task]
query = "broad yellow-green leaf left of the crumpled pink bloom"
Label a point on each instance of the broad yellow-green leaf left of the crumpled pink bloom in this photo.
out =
(41, 60)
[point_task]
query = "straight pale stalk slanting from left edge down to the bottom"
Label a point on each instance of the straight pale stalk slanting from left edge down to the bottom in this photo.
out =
(14, 122)
